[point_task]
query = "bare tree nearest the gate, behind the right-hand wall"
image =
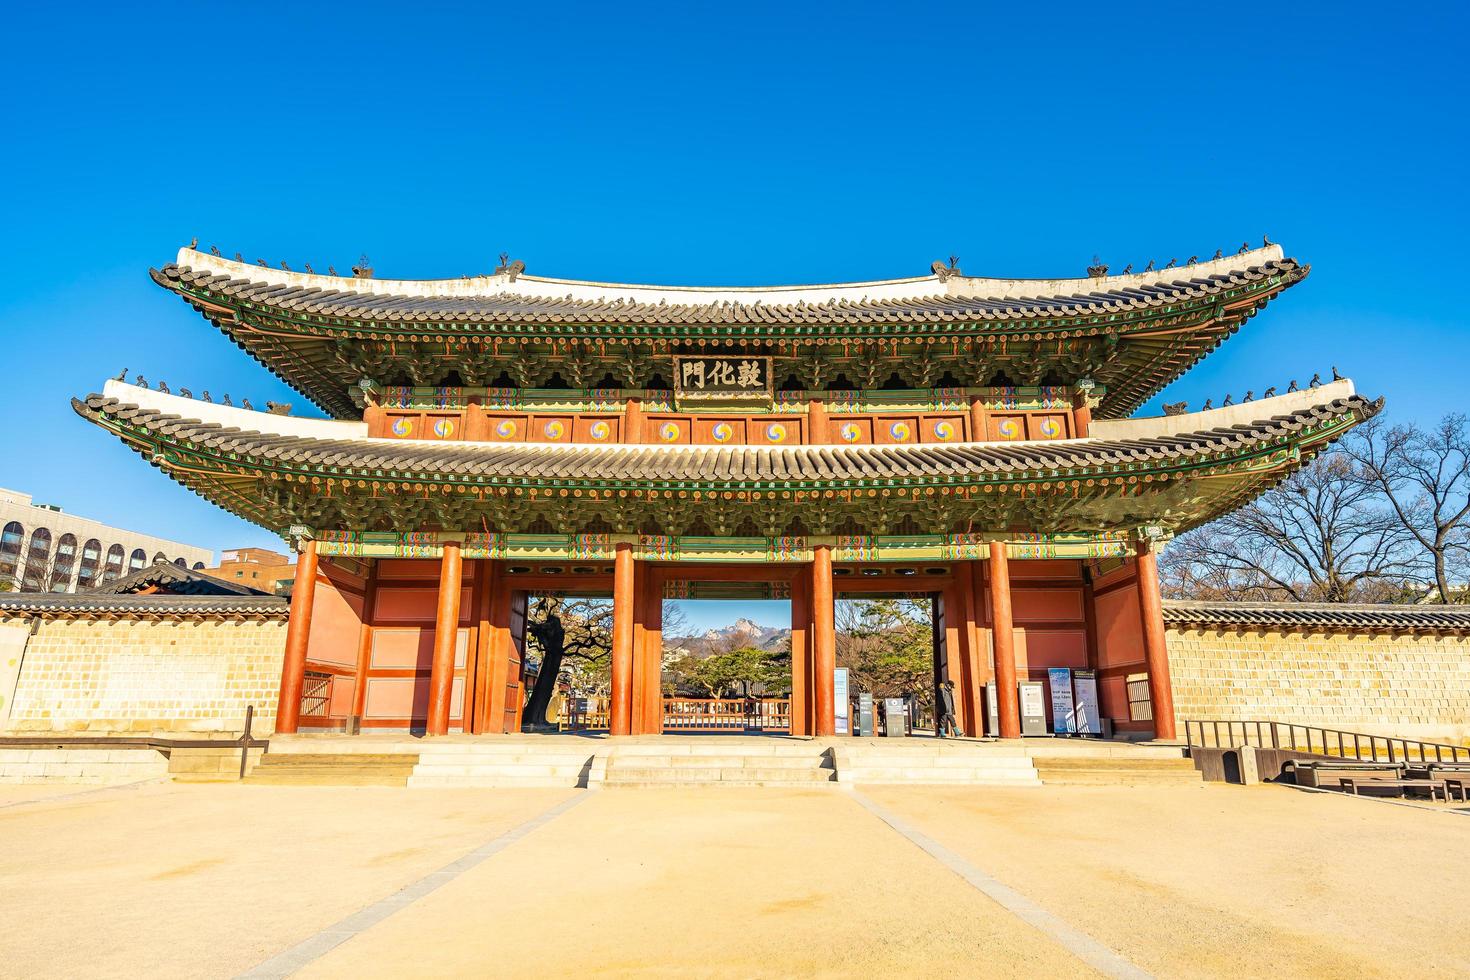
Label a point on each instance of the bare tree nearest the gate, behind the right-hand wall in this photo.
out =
(1324, 536)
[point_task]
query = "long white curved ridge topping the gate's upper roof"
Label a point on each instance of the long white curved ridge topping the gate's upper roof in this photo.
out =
(915, 289)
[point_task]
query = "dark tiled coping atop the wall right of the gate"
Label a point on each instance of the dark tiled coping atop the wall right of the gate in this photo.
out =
(1319, 616)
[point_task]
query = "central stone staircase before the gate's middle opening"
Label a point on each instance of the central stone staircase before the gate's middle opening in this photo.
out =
(718, 763)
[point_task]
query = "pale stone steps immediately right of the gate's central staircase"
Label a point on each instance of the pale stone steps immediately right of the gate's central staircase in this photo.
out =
(931, 762)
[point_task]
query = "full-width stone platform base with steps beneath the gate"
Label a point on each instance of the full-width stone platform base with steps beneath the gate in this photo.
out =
(684, 760)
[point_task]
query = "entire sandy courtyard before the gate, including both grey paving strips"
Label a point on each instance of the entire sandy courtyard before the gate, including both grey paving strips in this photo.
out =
(334, 882)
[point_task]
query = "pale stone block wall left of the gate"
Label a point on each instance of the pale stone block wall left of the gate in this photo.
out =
(143, 675)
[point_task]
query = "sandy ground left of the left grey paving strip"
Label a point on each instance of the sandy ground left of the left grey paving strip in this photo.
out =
(211, 879)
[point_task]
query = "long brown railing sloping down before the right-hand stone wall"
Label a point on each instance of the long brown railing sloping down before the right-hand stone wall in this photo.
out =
(1319, 741)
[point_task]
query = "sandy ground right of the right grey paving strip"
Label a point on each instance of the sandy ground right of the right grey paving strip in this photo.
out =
(1225, 881)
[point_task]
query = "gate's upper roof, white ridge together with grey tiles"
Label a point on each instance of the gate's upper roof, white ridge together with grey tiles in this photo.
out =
(527, 300)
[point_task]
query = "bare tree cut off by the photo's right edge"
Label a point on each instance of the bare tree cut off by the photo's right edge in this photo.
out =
(1425, 478)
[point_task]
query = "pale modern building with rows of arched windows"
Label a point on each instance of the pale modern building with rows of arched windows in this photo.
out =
(46, 550)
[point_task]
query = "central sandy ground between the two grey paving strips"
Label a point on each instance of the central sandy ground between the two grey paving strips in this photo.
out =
(725, 882)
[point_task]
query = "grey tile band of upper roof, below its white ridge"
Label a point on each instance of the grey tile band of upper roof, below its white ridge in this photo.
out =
(346, 299)
